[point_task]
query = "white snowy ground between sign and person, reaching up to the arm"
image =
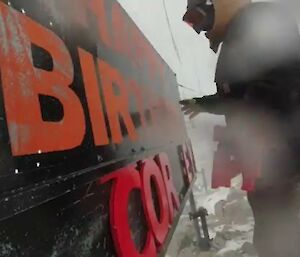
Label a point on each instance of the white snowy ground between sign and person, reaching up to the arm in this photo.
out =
(230, 218)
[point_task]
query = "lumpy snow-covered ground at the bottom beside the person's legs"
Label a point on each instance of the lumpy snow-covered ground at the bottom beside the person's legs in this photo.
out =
(230, 224)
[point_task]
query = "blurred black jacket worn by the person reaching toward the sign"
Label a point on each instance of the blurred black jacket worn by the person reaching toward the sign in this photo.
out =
(258, 91)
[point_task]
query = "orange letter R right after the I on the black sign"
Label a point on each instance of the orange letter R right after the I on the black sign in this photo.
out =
(117, 105)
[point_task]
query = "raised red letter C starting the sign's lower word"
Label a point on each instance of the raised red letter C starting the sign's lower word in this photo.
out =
(124, 181)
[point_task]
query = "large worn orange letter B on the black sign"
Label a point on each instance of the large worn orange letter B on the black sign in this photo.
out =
(23, 83)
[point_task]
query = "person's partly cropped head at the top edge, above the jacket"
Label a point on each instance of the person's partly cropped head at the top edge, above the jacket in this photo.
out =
(213, 17)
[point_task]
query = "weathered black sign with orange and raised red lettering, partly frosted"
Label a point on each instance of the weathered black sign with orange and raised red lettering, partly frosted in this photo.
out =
(95, 160)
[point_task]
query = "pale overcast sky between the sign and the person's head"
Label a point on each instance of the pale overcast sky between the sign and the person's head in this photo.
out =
(196, 62)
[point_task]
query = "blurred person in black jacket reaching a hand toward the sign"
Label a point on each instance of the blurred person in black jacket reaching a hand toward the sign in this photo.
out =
(258, 91)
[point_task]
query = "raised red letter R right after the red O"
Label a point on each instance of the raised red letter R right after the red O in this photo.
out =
(173, 200)
